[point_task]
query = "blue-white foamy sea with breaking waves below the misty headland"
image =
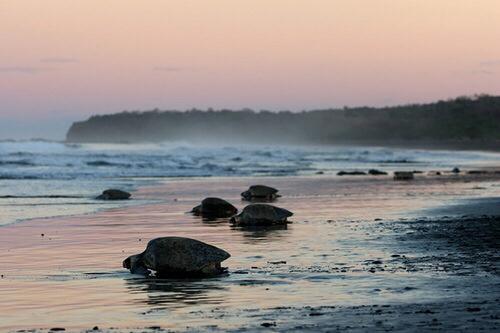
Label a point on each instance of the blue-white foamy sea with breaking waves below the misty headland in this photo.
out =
(33, 171)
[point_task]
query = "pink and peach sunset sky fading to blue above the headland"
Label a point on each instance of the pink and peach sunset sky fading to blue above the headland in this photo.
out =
(64, 60)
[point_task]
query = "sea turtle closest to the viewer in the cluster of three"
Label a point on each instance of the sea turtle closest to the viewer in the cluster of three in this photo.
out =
(260, 215)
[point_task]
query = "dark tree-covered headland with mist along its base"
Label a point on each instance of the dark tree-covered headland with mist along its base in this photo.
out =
(461, 123)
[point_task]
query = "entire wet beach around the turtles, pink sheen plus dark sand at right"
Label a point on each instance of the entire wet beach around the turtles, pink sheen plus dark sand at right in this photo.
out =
(362, 253)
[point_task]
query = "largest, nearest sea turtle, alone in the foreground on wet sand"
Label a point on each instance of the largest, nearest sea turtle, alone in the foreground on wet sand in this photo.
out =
(177, 257)
